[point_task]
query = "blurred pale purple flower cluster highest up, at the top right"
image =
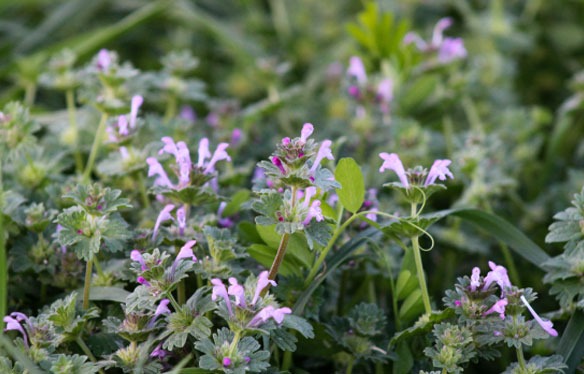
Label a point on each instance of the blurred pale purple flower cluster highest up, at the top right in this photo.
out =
(448, 49)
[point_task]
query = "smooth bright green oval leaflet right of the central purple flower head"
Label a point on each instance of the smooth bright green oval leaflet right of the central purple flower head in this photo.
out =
(352, 193)
